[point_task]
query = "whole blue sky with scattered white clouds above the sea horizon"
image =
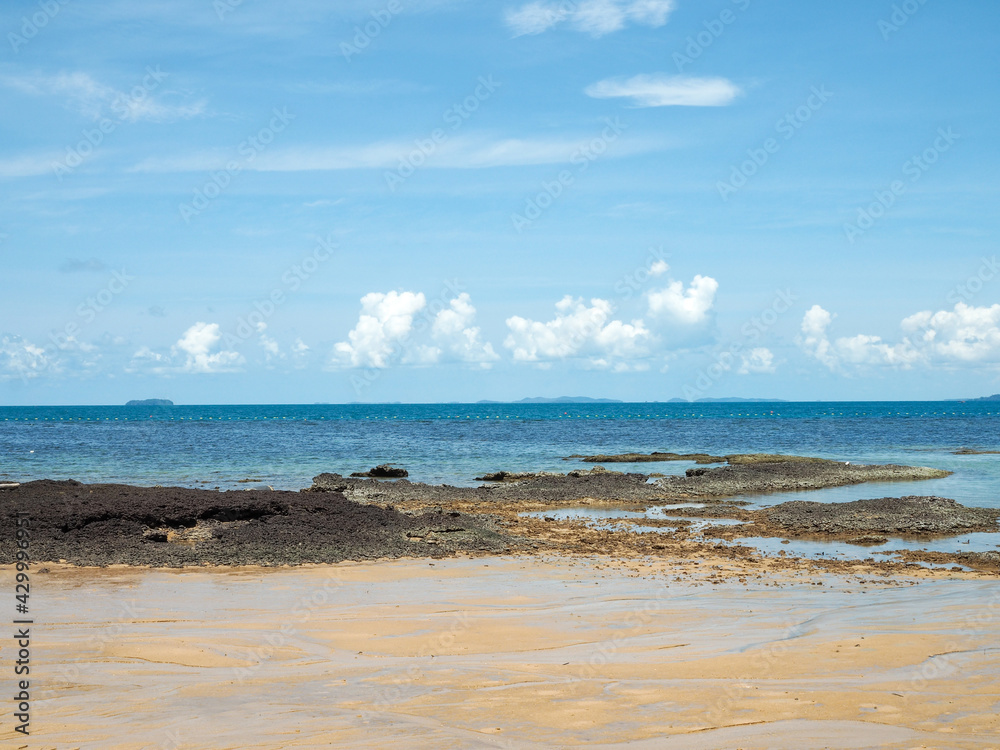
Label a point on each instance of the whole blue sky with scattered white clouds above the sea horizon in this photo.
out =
(233, 201)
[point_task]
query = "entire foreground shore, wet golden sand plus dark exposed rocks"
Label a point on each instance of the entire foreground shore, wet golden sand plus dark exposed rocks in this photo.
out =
(362, 614)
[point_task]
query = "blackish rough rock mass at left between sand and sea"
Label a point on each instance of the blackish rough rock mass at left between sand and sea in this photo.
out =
(171, 526)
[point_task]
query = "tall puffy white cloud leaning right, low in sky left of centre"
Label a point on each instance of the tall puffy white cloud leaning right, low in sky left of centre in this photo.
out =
(385, 321)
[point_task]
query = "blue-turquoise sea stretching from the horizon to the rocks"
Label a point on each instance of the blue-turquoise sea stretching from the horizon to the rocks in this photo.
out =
(285, 446)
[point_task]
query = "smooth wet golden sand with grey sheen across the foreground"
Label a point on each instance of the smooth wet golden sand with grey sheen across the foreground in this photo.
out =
(502, 652)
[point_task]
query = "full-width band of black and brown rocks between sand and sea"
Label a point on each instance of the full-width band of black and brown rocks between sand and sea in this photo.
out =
(356, 518)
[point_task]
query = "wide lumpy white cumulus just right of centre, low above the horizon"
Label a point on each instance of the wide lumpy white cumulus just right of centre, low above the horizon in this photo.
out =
(577, 330)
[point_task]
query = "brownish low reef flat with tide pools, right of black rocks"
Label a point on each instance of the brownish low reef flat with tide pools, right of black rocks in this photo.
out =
(521, 501)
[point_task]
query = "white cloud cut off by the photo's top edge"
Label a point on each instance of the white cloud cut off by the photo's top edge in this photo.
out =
(595, 17)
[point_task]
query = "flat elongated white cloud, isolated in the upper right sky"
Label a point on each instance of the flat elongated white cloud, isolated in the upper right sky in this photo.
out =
(662, 90)
